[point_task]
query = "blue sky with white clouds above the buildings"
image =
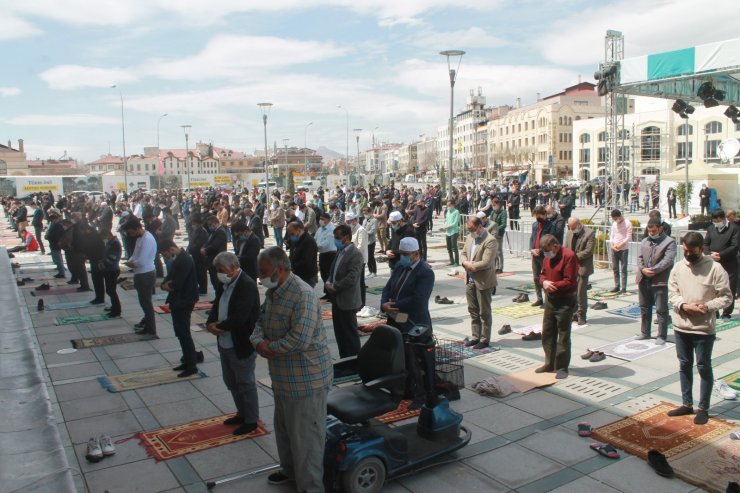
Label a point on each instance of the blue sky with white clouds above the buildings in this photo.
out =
(208, 64)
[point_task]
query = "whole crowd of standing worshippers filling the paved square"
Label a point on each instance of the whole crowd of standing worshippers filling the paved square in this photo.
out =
(337, 237)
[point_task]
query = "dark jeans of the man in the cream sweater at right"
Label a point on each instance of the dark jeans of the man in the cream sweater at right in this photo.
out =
(686, 346)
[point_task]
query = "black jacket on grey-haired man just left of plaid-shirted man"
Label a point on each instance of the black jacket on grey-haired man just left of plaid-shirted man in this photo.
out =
(244, 310)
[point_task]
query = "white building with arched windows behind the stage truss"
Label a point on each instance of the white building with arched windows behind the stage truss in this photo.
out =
(653, 140)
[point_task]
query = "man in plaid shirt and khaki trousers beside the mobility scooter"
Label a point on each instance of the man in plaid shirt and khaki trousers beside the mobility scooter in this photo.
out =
(290, 334)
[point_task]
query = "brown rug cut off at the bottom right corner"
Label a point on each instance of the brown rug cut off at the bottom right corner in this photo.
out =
(712, 466)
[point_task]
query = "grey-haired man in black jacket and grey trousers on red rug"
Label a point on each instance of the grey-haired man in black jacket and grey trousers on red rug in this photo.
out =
(232, 319)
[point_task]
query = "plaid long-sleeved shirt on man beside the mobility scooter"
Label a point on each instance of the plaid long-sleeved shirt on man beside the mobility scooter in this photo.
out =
(291, 319)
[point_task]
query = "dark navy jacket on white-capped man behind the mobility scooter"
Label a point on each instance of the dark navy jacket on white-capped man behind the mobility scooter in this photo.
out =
(413, 298)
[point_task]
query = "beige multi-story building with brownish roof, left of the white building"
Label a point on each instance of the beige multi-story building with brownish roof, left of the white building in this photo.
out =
(538, 138)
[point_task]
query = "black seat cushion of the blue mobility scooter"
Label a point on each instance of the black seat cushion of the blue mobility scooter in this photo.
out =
(359, 403)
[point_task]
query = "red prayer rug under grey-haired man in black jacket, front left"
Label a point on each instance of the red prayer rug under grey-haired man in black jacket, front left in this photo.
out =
(179, 440)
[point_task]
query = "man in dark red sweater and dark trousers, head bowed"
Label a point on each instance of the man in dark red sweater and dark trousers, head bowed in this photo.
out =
(559, 279)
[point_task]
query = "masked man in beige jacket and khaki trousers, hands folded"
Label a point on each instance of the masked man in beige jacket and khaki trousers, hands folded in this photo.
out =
(478, 260)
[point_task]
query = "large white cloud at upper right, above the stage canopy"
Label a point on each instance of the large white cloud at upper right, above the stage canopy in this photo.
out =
(648, 27)
